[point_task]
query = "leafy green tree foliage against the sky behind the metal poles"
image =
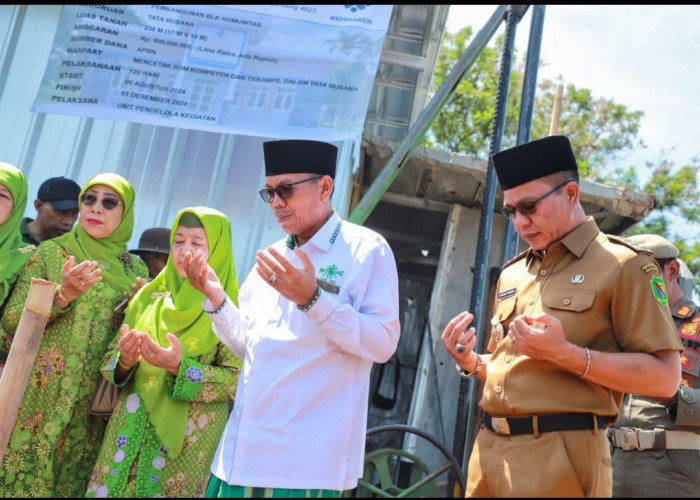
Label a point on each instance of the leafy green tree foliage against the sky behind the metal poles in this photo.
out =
(601, 131)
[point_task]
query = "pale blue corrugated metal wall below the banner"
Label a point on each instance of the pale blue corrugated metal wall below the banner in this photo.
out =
(169, 168)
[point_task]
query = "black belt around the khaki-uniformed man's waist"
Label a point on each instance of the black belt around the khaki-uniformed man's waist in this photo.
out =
(545, 423)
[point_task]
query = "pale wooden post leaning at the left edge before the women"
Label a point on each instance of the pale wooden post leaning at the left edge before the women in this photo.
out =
(20, 359)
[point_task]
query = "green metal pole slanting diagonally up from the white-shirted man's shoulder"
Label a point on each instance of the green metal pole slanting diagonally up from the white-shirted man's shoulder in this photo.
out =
(389, 172)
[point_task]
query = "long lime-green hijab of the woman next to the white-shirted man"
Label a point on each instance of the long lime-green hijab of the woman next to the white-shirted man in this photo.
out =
(170, 304)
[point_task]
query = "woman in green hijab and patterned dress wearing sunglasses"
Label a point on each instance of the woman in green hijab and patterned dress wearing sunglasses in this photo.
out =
(55, 441)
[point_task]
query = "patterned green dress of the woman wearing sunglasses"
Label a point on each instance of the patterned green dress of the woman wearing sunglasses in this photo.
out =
(55, 441)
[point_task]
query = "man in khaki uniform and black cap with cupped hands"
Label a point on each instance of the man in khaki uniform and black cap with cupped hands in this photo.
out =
(580, 318)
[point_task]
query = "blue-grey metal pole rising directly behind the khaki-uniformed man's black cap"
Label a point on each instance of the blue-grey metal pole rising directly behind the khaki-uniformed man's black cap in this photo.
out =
(510, 244)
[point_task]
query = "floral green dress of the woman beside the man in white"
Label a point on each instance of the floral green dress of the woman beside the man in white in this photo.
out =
(133, 462)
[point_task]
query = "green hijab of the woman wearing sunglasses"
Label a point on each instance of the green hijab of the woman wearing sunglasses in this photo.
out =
(110, 252)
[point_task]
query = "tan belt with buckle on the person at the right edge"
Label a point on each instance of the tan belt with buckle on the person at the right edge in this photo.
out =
(632, 438)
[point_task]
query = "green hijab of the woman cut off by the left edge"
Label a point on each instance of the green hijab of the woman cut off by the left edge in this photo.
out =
(13, 251)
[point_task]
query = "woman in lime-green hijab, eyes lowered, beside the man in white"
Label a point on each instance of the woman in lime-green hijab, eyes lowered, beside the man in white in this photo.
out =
(177, 379)
